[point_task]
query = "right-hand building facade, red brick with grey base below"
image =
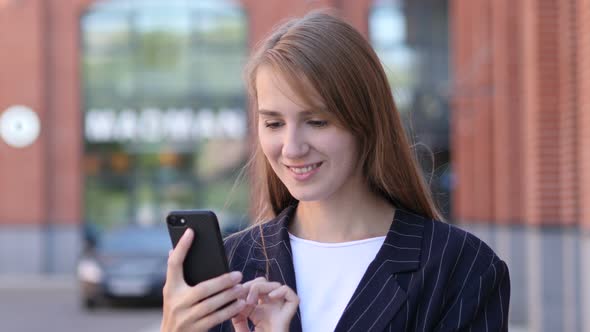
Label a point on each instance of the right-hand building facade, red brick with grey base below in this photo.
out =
(520, 134)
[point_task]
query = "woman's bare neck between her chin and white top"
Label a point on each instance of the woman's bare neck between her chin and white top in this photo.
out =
(359, 216)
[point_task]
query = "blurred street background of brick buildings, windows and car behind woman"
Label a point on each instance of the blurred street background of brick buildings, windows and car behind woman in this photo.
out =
(114, 112)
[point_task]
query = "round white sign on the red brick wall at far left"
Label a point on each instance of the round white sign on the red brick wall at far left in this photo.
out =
(19, 126)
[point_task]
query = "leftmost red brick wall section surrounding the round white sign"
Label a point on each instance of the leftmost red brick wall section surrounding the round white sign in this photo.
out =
(22, 76)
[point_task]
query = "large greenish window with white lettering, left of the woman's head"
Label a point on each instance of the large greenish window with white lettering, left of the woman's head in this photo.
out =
(164, 122)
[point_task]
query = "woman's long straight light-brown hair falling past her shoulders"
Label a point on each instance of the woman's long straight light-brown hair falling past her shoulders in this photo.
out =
(321, 54)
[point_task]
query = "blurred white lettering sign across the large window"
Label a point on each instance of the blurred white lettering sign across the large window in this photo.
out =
(153, 125)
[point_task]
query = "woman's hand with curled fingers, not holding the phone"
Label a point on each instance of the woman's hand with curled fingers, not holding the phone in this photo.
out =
(269, 305)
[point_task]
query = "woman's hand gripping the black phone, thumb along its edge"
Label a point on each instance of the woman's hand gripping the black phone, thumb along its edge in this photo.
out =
(197, 308)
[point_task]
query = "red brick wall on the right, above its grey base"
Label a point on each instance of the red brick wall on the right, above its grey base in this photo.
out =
(519, 125)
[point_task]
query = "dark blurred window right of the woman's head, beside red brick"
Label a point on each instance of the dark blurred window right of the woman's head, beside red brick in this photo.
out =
(411, 39)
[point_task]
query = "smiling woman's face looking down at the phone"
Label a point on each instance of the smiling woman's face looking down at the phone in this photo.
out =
(314, 158)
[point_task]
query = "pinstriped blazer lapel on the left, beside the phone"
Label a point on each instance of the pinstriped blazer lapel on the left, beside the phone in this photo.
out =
(279, 257)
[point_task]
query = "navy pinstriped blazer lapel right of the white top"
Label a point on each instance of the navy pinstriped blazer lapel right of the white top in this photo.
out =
(378, 296)
